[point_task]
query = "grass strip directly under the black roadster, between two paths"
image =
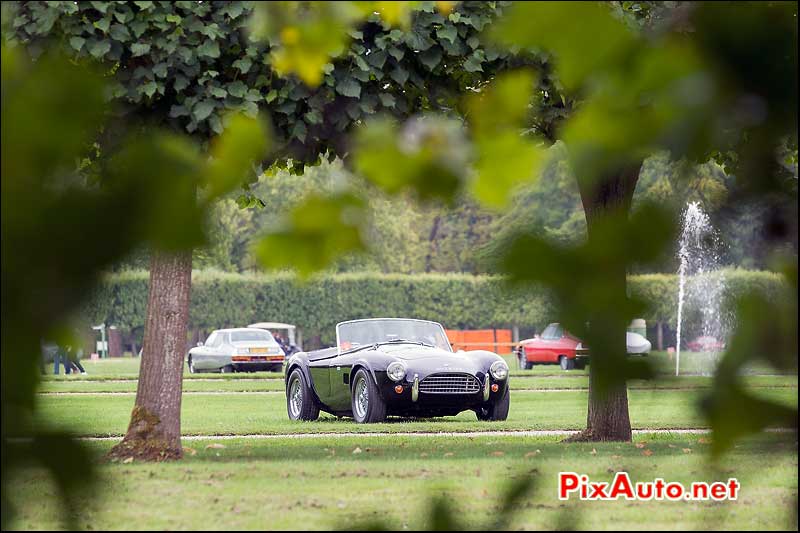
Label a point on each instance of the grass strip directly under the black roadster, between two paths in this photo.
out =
(243, 413)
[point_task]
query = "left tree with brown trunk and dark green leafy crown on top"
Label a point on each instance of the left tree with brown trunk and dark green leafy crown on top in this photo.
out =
(184, 65)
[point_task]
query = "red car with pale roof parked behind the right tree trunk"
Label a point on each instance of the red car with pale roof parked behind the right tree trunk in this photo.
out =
(554, 346)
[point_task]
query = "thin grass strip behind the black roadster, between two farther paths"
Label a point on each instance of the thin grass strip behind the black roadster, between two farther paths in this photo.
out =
(246, 383)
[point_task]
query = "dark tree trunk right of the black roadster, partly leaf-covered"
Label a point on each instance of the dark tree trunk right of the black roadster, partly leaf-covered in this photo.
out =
(608, 417)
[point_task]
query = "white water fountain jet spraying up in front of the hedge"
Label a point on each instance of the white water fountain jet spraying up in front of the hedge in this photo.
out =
(701, 284)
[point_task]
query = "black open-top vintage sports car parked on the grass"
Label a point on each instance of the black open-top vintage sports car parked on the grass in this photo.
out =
(395, 366)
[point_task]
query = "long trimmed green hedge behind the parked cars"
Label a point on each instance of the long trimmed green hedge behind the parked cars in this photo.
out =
(458, 301)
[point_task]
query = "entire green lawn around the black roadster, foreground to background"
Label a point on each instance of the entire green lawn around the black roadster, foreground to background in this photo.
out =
(344, 479)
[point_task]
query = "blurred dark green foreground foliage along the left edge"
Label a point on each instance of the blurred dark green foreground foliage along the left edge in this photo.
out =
(61, 201)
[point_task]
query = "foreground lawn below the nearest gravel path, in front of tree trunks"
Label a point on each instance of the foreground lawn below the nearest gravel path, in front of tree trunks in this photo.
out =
(321, 483)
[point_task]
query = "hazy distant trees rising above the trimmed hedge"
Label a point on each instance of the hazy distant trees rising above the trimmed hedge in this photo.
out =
(408, 237)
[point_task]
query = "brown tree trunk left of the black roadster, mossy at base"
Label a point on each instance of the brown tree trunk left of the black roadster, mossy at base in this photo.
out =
(154, 433)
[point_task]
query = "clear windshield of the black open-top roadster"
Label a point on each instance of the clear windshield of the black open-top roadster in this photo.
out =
(365, 332)
